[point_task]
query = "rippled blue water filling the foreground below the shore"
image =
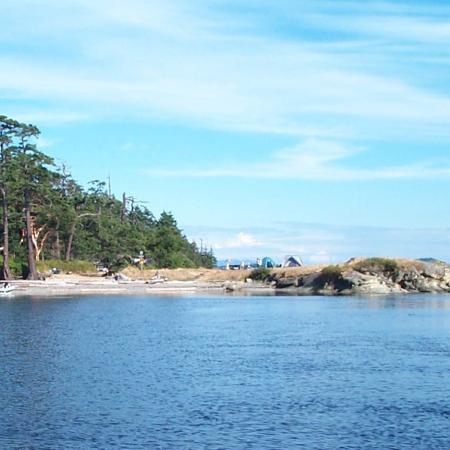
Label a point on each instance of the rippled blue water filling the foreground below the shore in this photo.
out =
(225, 373)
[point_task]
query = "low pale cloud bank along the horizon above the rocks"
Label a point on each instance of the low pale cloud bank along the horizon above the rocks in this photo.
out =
(322, 243)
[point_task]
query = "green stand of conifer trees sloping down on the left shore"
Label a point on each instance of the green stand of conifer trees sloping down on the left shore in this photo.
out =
(46, 214)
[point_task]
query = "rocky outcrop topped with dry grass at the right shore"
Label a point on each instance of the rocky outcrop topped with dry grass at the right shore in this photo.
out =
(373, 276)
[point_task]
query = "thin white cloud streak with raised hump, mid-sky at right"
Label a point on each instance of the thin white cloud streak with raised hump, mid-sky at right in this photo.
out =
(315, 160)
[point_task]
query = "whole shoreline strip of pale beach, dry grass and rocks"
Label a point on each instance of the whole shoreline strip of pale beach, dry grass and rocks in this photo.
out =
(362, 276)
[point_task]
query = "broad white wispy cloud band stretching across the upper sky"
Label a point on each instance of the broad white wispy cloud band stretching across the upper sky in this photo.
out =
(192, 62)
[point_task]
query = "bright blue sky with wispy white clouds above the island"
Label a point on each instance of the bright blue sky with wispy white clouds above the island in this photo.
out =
(319, 128)
